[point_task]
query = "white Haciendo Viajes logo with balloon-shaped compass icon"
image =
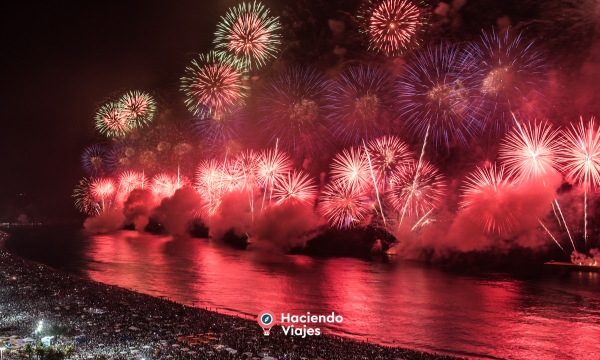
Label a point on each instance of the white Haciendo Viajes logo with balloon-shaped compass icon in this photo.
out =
(297, 325)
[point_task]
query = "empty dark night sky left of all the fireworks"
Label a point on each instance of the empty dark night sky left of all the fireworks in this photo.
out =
(60, 58)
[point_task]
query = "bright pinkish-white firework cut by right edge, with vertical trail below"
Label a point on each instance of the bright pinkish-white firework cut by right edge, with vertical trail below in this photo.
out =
(580, 156)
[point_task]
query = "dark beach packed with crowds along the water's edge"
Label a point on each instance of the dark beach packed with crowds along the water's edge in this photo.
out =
(121, 323)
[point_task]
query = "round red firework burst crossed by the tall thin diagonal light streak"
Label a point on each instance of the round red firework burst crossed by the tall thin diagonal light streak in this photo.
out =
(416, 189)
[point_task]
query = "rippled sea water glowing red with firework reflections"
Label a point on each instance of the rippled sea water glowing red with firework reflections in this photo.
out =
(401, 303)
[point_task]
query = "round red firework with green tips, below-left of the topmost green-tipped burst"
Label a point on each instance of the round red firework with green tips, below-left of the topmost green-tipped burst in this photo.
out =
(211, 86)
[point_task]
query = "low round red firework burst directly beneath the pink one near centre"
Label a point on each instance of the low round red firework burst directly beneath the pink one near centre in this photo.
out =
(344, 206)
